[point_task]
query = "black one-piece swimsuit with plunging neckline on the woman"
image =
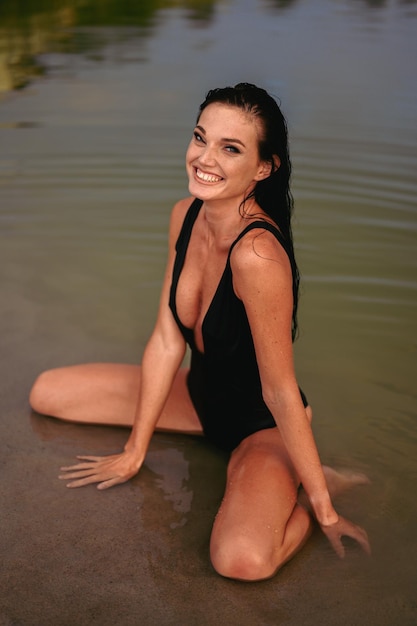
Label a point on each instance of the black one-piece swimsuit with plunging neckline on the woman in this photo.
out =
(224, 382)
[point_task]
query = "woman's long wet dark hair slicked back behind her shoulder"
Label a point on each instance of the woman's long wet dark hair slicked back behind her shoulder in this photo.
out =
(272, 194)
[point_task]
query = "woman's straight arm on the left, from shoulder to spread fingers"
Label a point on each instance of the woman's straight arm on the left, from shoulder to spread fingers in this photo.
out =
(161, 360)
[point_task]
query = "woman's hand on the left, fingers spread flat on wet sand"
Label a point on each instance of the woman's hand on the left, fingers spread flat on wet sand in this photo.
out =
(107, 471)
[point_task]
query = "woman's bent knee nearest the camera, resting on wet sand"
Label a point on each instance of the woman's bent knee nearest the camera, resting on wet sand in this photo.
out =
(241, 560)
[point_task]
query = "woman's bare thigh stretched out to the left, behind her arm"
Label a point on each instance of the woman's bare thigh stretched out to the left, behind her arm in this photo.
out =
(107, 393)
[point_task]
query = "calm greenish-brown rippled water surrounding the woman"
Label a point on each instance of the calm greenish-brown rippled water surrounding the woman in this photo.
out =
(96, 113)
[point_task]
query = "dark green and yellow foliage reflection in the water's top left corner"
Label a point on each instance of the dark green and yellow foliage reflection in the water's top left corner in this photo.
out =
(28, 31)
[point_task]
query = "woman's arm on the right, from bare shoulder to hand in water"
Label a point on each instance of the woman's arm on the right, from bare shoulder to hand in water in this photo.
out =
(263, 281)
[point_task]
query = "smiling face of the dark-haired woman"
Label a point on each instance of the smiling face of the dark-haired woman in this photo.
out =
(222, 159)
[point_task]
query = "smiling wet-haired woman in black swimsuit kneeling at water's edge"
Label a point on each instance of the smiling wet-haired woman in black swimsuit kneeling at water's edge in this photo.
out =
(230, 291)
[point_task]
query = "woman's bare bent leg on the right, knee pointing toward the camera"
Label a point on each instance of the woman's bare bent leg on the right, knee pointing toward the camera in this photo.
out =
(260, 524)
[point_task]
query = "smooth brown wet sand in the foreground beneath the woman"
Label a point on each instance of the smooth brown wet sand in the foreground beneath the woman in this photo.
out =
(138, 553)
